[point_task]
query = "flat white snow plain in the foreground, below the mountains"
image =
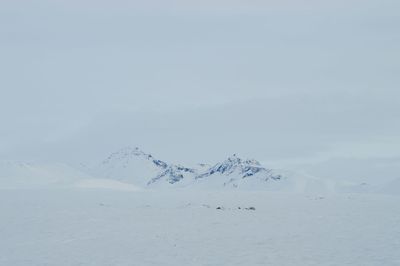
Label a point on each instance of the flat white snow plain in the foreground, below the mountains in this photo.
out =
(91, 225)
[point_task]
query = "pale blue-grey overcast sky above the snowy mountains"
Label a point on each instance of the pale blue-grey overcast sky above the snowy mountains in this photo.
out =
(306, 84)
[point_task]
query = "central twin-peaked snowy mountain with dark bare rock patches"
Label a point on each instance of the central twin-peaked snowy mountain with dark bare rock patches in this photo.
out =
(134, 166)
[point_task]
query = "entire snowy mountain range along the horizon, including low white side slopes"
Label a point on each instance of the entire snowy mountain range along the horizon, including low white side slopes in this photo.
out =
(133, 169)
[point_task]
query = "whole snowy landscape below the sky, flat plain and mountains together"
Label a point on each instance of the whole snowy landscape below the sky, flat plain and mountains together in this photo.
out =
(138, 210)
